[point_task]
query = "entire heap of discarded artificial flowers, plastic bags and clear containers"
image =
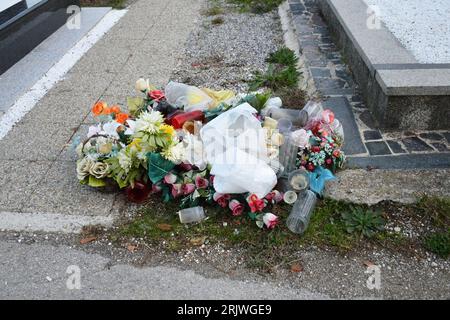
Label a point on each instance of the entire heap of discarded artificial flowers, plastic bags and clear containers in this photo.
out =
(242, 152)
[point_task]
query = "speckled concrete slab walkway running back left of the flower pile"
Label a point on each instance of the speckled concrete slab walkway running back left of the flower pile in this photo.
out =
(37, 166)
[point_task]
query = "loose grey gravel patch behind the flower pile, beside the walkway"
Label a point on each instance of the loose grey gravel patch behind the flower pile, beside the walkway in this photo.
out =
(225, 55)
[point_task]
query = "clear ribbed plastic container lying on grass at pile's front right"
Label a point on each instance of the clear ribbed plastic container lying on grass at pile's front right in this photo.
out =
(302, 211)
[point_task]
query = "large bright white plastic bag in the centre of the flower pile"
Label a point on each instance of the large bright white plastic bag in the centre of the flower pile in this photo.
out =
(235, 146)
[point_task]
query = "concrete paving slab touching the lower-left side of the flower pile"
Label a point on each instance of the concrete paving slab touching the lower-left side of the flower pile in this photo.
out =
(60, 192)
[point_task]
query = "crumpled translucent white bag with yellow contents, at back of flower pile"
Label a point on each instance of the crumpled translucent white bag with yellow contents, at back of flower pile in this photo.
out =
(188, 97)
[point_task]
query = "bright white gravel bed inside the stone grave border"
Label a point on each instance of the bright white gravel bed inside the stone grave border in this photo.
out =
(421, 26)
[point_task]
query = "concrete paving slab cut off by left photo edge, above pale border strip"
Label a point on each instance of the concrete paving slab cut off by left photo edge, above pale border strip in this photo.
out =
(18, 180)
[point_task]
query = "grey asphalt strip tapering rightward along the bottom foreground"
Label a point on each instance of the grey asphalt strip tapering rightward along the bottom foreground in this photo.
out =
(35, 278)
